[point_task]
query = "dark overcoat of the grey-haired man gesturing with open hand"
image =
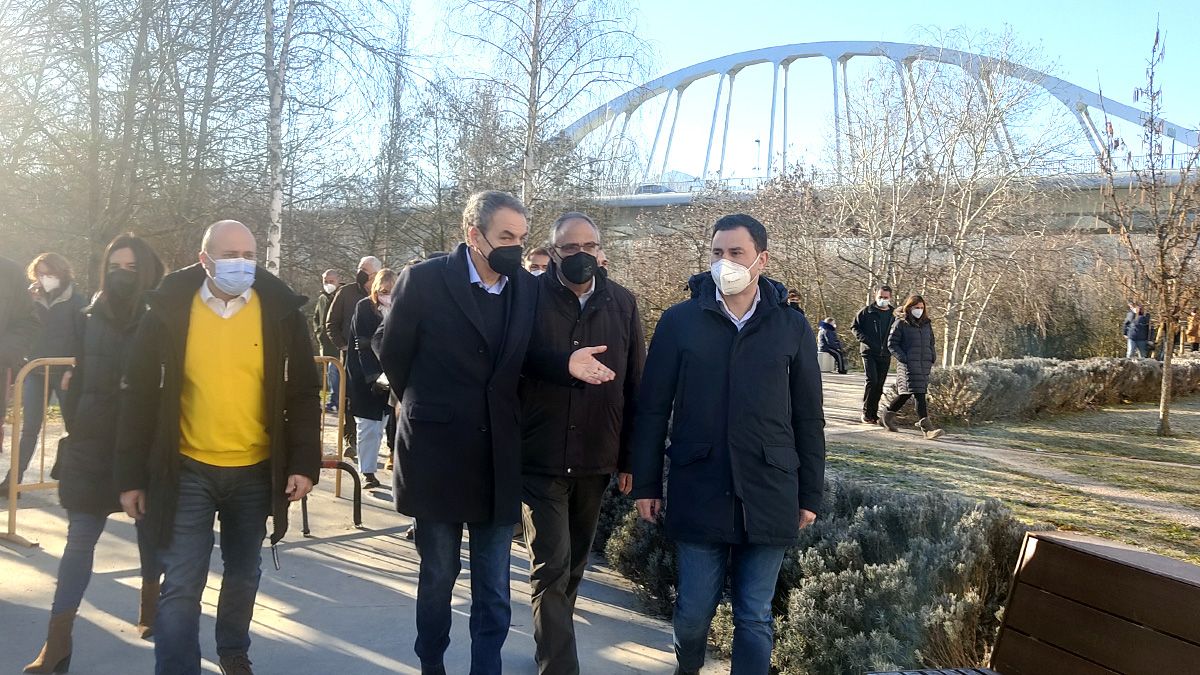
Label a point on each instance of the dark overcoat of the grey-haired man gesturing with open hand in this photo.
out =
(459, 429)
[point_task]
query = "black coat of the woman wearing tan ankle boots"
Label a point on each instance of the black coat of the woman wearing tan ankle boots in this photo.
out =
(86, 461)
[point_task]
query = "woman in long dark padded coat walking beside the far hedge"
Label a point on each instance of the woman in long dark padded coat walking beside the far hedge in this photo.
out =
(911, 343)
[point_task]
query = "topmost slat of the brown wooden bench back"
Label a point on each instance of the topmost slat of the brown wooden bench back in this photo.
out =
(1163, 604)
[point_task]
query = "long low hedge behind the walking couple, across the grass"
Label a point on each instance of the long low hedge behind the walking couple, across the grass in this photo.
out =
(1033, 387)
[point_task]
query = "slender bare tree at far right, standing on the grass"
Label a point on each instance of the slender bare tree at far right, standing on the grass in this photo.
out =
(1155, 211)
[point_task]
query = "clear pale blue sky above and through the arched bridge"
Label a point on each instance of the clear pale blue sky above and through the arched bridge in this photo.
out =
(1099, 44)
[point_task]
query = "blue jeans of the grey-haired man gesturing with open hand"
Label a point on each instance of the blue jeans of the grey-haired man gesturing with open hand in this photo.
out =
(440, 543)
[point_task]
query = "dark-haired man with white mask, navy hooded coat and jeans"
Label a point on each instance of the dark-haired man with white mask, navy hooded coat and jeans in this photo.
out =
(733, 373)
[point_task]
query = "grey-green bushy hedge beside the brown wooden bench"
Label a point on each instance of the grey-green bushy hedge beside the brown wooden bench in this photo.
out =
(884, 581)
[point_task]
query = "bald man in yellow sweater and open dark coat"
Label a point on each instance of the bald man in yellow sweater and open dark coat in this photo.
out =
(220, 419)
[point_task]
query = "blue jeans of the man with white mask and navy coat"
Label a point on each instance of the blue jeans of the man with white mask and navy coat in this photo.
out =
(754, 574)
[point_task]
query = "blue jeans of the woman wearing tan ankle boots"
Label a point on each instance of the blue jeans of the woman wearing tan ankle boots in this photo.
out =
(75, 569)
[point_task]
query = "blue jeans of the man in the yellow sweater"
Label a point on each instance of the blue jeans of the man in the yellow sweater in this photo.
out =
(242, 498)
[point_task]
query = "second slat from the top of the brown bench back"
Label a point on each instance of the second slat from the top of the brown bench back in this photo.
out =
(1094, 635)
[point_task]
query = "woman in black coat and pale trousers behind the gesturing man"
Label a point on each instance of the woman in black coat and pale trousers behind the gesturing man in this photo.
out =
(368, 393)
